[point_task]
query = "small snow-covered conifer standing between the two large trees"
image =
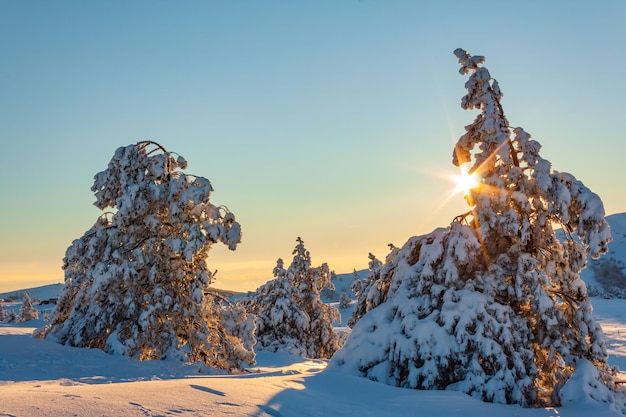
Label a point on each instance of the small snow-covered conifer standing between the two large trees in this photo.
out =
(291, 316)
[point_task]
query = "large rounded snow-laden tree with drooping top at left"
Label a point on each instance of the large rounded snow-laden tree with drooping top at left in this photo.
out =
(137, 282)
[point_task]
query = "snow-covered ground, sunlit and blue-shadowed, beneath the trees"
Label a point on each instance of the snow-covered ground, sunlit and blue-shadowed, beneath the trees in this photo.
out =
(40, 377)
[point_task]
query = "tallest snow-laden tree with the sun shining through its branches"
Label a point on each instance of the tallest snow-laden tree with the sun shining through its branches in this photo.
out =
(493, 305)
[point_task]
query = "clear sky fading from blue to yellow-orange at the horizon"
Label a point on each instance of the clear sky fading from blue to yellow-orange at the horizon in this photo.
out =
(330, 120)
